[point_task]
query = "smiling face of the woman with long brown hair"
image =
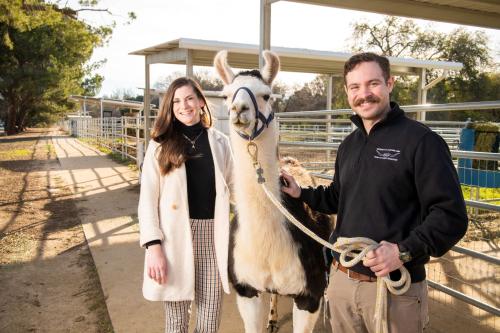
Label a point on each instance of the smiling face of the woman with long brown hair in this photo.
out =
(187, 106)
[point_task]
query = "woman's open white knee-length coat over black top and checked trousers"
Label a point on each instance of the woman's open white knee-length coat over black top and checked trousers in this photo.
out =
(164, 214)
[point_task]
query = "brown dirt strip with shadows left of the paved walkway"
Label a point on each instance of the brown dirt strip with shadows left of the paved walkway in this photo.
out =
(48, 281)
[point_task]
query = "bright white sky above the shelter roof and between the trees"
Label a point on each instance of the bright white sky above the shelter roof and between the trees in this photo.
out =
(159, 21)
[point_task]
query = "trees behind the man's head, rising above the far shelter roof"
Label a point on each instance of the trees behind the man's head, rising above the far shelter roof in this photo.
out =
(403, 38)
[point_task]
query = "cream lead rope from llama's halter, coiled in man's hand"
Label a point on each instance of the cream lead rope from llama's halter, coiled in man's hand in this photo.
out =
(355, 248)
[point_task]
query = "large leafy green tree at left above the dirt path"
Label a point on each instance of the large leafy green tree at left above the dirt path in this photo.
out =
(44, 49)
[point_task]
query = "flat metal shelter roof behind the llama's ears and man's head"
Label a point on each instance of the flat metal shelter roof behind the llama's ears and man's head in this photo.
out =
(292, 59)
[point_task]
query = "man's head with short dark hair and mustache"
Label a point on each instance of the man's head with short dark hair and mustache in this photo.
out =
(367, 91)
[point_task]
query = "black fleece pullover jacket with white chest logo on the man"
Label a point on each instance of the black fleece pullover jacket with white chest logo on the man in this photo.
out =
(396, 184)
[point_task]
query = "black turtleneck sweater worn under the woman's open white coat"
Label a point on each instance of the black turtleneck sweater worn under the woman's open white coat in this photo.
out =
(199, 171)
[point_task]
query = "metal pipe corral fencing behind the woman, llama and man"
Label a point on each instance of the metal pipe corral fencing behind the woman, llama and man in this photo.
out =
(464, 293)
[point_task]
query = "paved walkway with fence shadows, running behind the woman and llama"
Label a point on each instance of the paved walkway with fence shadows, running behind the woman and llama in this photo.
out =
(107, 196)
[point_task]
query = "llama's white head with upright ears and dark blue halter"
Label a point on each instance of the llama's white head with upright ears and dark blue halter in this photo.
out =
(248, 94)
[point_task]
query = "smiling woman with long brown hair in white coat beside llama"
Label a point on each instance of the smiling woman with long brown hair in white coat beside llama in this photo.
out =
(184, 210)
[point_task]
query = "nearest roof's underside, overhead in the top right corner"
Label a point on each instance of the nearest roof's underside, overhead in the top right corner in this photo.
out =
(480, 13)
